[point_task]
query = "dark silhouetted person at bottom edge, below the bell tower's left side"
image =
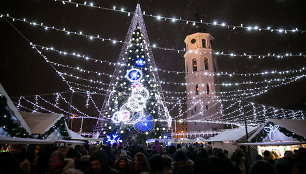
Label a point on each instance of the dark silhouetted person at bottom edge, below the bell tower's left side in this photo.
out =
(181, 164)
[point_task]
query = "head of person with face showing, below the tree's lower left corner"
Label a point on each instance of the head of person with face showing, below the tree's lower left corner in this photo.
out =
(99, 162)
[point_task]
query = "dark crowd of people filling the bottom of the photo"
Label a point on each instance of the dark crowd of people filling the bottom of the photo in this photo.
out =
(155, 159)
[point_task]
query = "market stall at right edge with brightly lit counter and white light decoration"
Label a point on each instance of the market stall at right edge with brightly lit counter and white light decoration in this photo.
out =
(279, 135)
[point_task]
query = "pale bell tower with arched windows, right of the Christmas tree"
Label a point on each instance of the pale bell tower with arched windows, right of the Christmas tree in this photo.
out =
(200, 67)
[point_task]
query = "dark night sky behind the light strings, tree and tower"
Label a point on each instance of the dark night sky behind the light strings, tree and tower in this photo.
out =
(24, 72)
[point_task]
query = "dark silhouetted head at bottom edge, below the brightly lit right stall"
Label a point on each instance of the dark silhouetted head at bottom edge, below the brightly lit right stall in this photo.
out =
(262, 167)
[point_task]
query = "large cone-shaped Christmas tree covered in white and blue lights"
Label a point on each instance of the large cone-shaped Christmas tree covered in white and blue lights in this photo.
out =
(134, 107)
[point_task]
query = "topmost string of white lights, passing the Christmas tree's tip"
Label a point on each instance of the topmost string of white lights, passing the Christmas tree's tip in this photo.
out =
(192, 22)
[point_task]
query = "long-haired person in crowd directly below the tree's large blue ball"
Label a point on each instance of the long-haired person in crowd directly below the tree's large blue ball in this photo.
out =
(141, 164)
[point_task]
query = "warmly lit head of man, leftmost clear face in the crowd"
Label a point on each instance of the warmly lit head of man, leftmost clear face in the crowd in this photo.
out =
(56, 161)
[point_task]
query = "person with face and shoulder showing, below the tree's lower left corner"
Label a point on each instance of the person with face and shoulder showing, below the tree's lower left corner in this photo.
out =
(99, 164)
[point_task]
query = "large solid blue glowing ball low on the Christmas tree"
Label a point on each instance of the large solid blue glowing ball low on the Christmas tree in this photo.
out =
(144, 123)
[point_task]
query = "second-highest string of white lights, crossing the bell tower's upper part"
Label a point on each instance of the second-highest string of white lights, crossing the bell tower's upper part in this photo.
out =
(114, 41)
